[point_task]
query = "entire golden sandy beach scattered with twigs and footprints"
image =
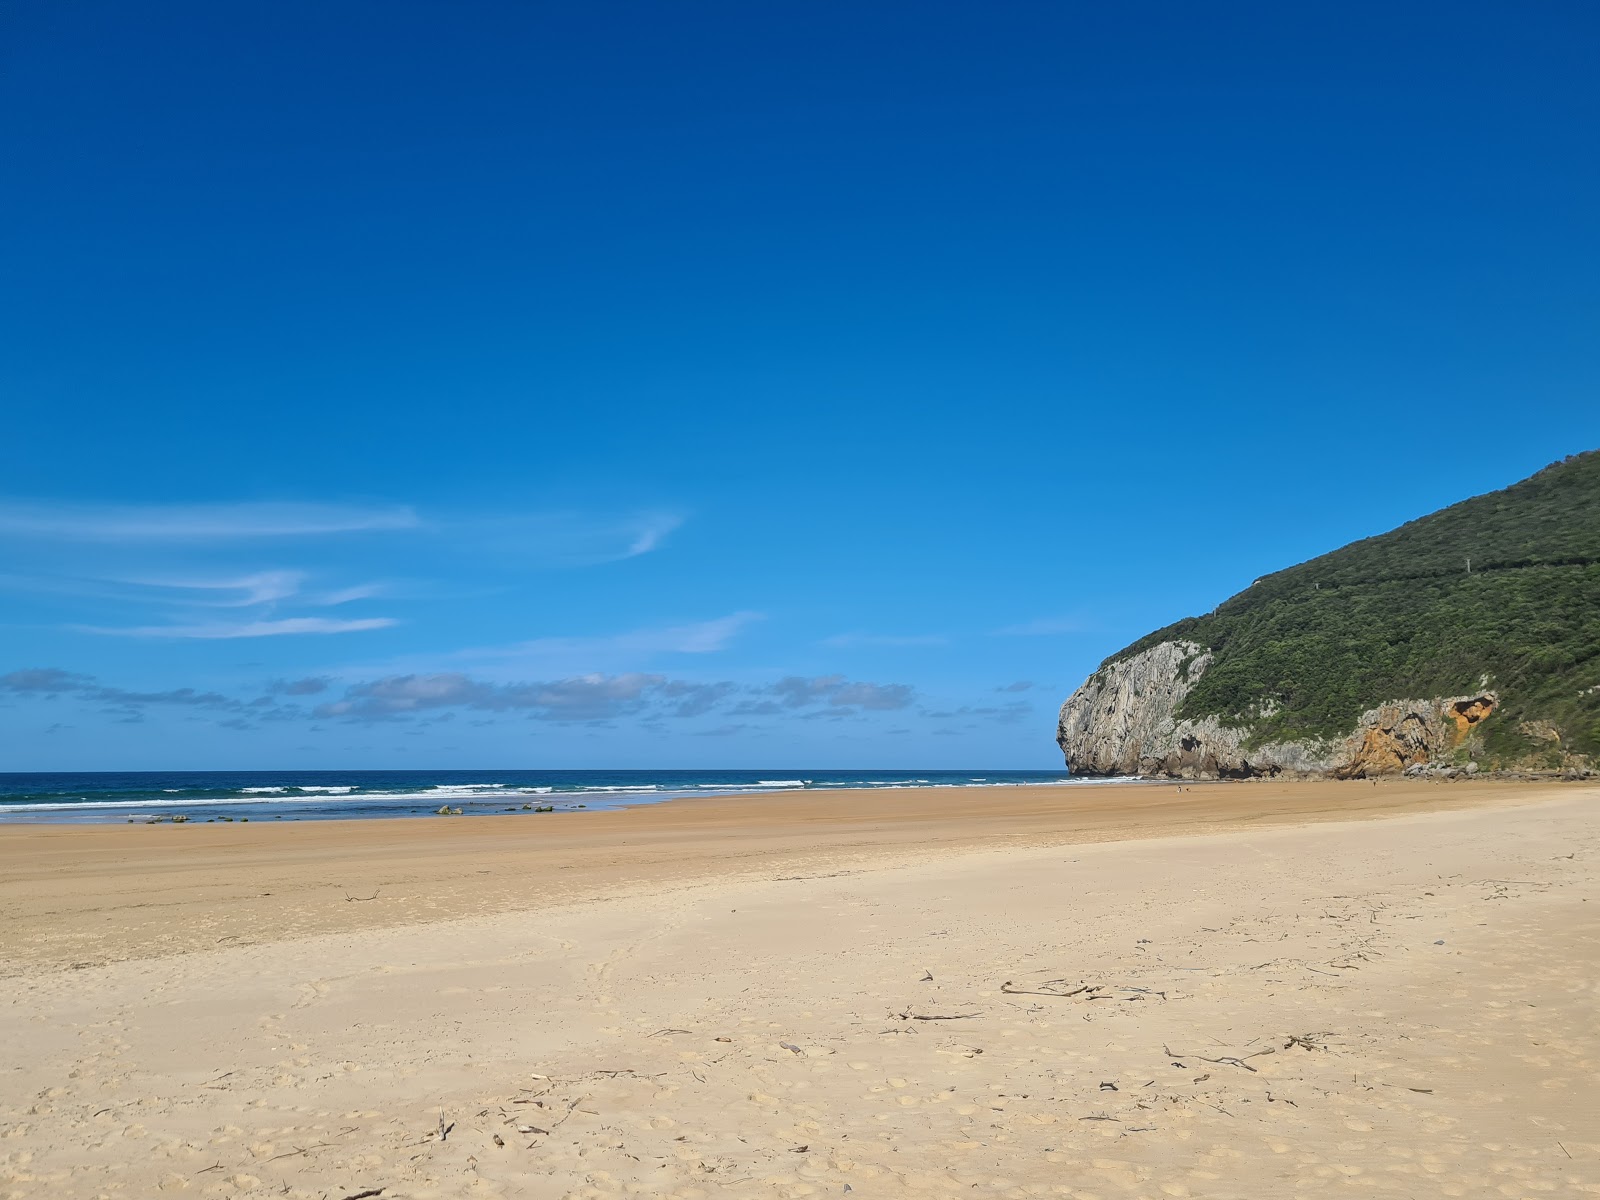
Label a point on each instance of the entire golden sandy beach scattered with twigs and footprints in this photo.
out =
(1234, 991)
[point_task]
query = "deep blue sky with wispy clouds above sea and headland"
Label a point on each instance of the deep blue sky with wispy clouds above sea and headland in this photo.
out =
(711, 385)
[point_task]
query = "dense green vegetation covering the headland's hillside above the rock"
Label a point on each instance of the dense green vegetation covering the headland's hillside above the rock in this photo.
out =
(1401, 617)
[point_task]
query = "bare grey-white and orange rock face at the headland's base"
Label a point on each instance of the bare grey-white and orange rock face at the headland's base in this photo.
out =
(1124, 722)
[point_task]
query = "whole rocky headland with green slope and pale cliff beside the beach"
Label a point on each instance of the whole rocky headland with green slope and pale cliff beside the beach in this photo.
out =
(1463, 642)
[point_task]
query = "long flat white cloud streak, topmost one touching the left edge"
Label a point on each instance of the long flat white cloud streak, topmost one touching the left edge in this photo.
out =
(194, 522)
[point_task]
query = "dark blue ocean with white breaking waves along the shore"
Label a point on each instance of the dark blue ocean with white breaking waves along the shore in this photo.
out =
(330, 796)
